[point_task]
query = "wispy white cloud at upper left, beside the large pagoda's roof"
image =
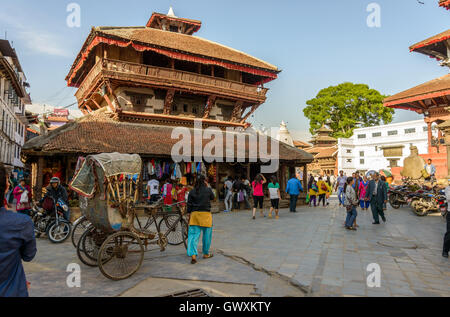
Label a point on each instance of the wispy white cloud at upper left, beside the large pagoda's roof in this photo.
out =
(35, 40)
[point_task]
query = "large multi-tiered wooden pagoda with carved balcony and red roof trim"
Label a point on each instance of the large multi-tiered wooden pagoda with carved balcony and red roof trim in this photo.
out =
(135, 84)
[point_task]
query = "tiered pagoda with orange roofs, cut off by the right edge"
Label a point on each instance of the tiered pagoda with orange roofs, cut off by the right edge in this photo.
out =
(432, 98)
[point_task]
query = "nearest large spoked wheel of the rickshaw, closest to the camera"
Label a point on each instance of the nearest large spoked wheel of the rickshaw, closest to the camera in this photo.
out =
(121, 255)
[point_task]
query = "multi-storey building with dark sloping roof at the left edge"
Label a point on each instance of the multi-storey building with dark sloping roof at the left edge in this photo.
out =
(13, 97)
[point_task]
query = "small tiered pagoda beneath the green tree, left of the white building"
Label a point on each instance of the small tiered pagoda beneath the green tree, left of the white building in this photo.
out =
(325, 152)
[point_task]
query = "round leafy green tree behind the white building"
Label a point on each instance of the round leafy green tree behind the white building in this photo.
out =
(342, 108)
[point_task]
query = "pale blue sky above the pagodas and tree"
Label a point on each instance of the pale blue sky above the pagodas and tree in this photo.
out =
(315, 43)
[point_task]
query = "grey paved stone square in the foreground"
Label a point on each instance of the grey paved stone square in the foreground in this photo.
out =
(307, 253)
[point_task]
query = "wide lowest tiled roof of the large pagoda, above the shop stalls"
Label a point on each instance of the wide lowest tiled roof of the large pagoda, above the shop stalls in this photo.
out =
(100, 132)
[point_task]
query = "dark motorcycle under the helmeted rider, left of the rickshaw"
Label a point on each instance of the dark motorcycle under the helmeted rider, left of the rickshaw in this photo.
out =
(51, 222)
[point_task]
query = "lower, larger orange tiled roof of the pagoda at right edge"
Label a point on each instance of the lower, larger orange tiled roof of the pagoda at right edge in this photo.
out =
(433, 89)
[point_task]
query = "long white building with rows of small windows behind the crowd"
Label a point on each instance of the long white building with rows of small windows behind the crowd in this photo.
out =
(364, 150)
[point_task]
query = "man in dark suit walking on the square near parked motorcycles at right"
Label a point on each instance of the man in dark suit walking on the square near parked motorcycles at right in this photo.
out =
(376, 194)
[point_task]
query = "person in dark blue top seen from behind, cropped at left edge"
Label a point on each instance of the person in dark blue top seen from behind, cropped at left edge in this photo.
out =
(17, 243)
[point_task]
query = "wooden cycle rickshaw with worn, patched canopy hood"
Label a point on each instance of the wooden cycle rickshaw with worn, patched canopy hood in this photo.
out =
(116, 237)
